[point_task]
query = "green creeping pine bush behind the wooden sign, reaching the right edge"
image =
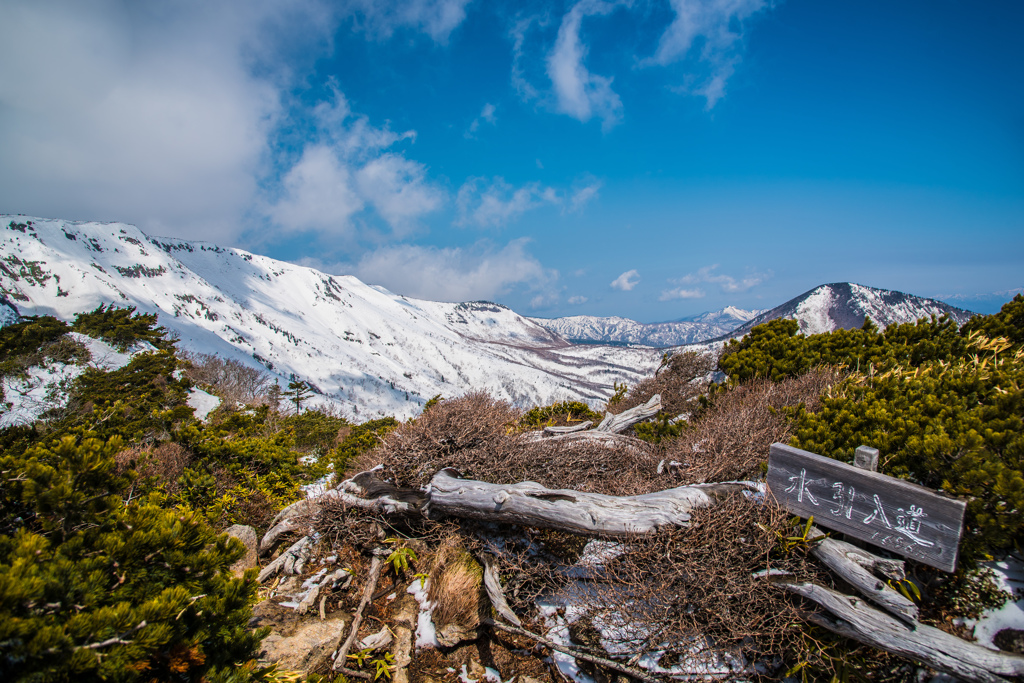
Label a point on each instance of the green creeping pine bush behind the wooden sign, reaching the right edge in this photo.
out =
(946, 407)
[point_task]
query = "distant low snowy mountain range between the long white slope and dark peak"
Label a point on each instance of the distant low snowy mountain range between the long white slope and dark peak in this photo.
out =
(592, 329)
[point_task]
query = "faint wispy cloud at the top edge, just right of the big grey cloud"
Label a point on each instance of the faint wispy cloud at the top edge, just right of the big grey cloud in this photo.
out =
(436, 18)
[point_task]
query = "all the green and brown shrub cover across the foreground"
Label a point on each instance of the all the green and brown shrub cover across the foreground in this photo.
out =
(112, 566)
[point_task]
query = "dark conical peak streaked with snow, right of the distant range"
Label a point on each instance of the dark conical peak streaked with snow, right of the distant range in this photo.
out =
(845, 306)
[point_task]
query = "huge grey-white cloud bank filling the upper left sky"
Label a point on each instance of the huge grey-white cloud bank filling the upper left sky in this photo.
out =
(162, 113)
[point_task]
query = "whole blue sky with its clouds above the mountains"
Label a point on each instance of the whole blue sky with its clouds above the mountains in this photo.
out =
(653, 160)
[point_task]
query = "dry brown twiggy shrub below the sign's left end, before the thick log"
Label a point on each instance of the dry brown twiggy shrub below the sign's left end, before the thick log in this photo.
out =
(677, 588)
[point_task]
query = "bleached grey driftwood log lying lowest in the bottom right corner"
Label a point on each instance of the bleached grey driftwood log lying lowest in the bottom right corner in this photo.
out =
(855, 619)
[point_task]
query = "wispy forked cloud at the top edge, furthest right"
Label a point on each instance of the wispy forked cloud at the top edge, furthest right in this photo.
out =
(717, 26)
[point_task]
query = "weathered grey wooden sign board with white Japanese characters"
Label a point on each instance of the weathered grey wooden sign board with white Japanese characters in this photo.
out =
(894, 515)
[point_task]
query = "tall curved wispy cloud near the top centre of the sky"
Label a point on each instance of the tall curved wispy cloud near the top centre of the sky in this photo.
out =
(579, 93)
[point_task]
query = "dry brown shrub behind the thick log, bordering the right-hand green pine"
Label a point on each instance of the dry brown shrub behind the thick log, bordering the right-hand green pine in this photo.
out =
(732, 438)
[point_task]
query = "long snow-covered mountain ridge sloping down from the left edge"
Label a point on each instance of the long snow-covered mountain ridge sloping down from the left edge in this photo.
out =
(368, 351)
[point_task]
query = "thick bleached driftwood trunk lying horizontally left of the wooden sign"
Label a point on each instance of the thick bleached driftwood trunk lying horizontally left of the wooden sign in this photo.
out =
(531, 504)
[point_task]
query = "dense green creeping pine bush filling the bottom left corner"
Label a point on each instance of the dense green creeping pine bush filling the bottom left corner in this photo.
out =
(99, 587)
